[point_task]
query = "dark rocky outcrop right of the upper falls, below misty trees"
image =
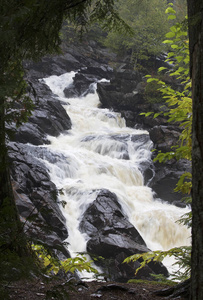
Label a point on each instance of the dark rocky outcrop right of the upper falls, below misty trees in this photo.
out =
(125, 93)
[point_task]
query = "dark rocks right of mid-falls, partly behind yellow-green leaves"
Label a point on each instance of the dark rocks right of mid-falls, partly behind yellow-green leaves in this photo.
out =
(168, 174)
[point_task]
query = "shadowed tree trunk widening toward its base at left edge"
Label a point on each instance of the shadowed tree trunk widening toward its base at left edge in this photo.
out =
(10, 225)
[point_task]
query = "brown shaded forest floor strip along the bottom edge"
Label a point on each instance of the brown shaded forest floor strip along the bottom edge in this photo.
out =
(70, 289)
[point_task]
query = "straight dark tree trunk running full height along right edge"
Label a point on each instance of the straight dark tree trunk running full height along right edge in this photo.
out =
(195, 14)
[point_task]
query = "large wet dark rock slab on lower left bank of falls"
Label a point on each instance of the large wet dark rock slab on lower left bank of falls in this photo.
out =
(36, 196)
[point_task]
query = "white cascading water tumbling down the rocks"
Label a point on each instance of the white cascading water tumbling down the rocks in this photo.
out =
(95, 149)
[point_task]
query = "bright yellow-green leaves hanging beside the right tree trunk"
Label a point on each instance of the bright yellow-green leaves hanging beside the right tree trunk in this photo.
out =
(179, 102)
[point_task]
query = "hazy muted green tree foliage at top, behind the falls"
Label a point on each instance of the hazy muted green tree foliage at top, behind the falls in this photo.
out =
(149, 24)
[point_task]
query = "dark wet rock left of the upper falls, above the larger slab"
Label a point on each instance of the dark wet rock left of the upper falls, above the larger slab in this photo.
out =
(48, 118)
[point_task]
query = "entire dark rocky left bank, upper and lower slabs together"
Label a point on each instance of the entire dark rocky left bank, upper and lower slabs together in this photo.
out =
(35, 194)
